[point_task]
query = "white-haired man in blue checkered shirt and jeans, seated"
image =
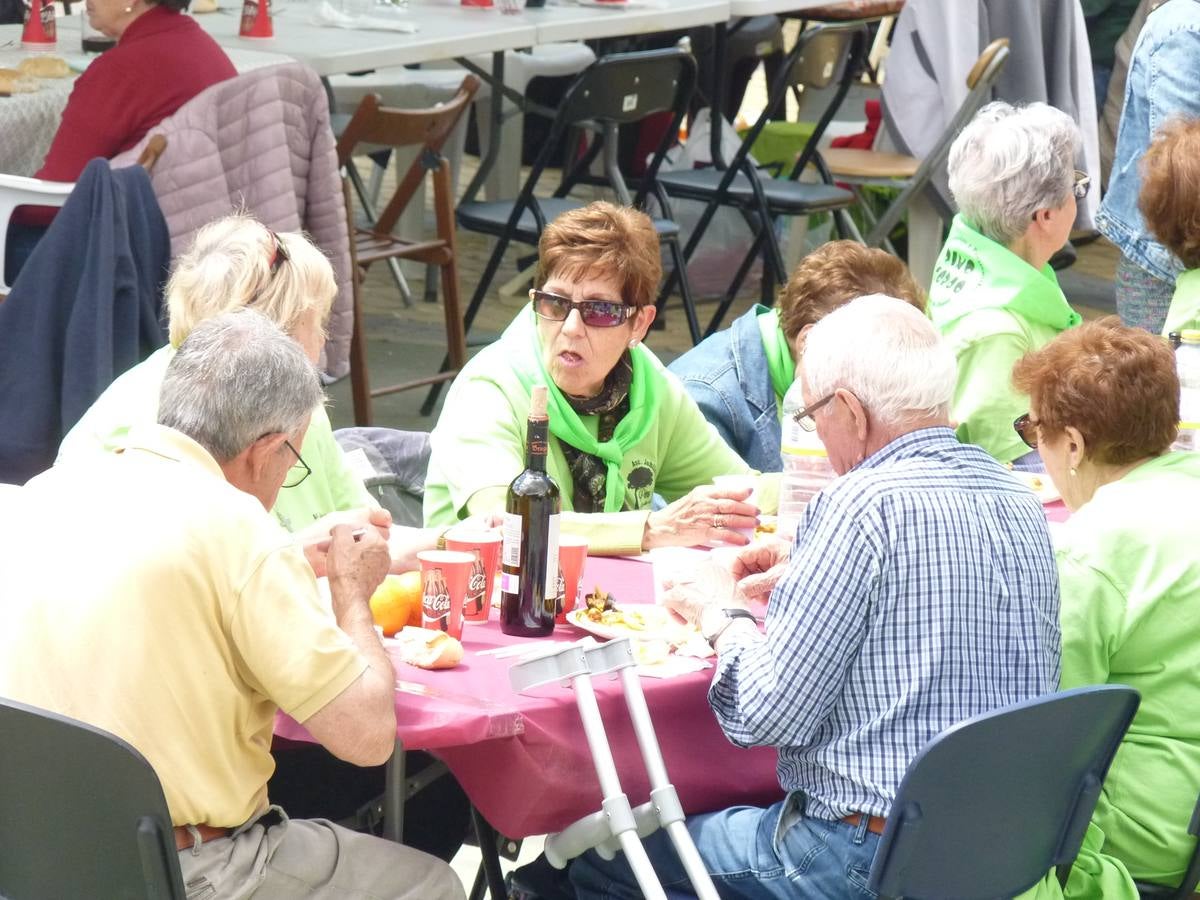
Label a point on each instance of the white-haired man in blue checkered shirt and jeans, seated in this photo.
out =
(922, 591)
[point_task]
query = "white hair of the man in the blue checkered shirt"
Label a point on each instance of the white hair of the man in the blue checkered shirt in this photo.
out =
(887, 355)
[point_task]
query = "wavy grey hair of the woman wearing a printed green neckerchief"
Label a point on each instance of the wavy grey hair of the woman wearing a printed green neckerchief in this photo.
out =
(1009, 163)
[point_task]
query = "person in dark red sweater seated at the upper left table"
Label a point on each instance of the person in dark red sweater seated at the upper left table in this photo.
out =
(161, 61)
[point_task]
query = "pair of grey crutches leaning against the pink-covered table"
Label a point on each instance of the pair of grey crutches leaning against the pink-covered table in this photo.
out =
(617, 825)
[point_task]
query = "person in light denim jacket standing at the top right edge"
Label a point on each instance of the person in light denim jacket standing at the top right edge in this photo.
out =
(1162, 86)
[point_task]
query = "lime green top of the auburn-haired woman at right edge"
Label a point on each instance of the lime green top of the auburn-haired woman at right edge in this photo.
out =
(1130, 578)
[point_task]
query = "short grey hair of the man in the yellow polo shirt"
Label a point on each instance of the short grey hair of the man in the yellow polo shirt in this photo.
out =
(235, 380)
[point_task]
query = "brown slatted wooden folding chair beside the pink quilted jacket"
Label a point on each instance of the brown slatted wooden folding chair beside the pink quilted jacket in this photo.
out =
(429, 130)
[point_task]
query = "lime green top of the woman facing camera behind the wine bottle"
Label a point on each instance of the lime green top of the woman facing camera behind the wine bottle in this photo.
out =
(479, 447)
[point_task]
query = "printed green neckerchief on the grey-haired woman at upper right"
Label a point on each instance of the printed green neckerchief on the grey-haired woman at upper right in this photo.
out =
(976, 273)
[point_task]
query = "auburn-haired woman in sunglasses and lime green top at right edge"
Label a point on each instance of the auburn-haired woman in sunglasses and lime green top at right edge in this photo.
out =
(1103, 410)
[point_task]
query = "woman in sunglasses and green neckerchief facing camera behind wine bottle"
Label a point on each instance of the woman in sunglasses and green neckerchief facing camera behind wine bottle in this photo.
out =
(622, 428)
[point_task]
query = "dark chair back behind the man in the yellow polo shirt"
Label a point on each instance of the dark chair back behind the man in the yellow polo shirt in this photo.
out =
(82, 813)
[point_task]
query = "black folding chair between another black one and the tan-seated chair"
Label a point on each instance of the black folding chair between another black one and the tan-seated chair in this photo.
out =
(827, 56)
